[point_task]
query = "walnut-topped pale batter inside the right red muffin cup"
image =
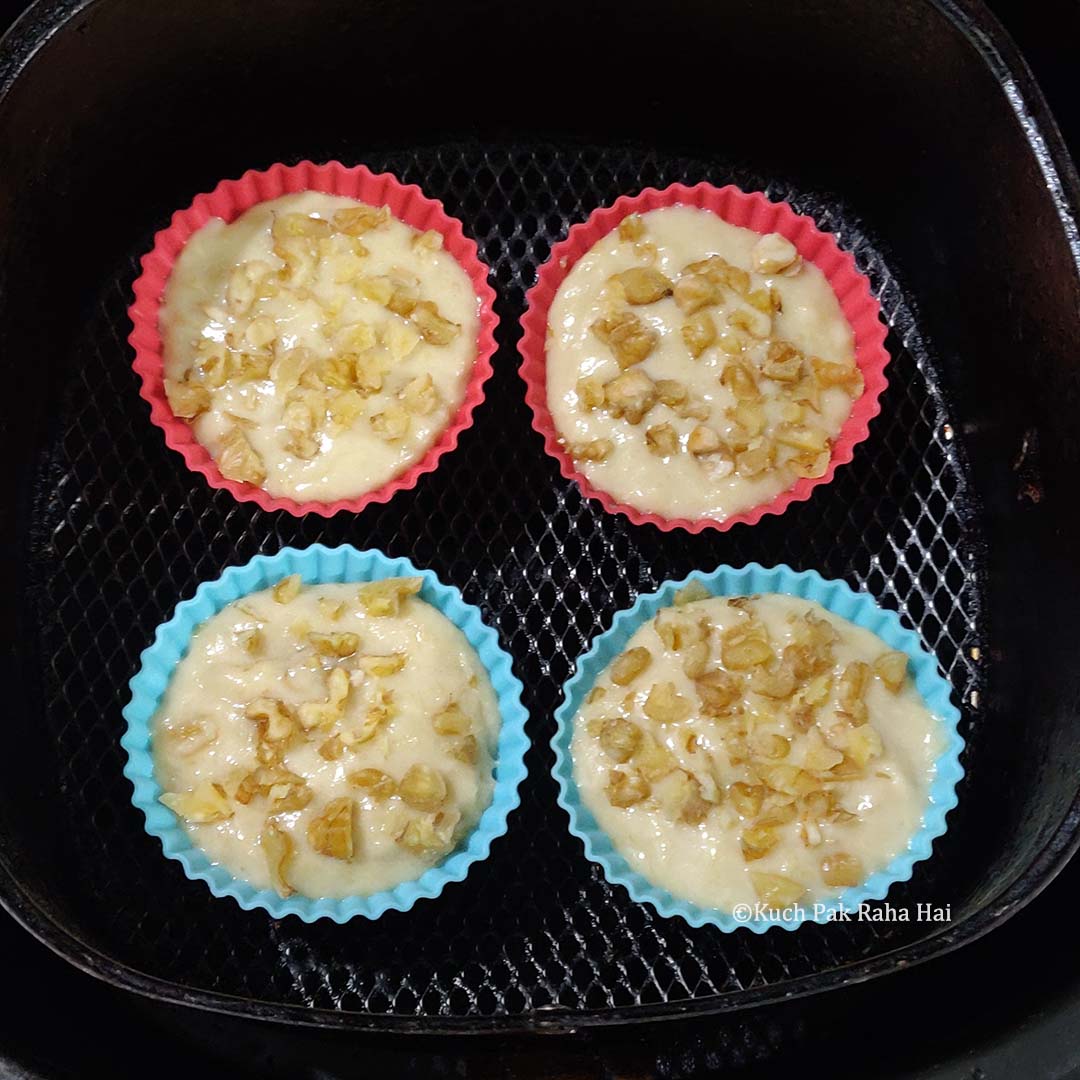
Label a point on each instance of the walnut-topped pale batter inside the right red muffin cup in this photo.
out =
(695, 386)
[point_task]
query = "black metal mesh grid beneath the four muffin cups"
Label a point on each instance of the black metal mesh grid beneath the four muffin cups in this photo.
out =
(124, 532)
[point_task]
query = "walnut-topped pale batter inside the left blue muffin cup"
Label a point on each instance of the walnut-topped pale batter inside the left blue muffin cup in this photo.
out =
(436, 714)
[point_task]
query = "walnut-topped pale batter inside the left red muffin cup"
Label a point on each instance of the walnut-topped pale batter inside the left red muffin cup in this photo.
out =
(318, 346)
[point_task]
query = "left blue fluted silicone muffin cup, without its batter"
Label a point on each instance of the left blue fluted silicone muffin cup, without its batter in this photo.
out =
(320, 565)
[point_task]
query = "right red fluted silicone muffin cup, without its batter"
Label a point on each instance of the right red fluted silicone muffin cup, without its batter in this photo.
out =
(750, 211)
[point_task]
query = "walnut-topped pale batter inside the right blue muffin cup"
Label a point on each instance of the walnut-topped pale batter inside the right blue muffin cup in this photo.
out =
(724, 794)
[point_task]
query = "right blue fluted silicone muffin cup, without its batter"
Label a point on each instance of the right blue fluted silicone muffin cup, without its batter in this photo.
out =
(841, 600)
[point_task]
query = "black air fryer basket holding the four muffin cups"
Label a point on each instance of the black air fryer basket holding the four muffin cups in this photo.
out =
(900, 128)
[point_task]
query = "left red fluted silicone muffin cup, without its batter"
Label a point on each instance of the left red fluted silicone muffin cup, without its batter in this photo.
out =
(228, 201)
